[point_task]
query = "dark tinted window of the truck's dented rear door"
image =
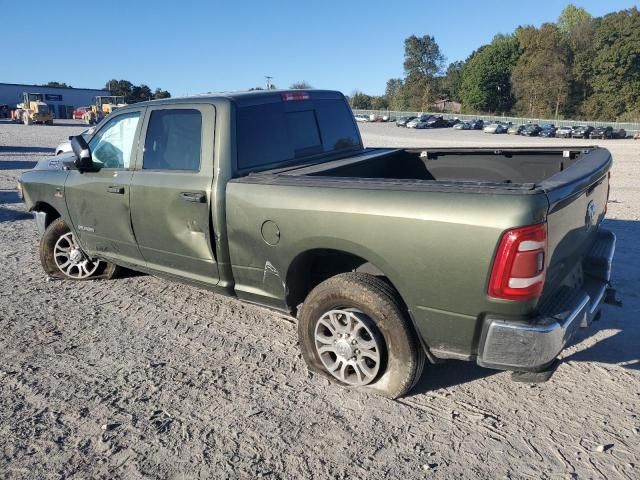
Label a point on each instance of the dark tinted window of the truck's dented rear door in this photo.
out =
(173, 140)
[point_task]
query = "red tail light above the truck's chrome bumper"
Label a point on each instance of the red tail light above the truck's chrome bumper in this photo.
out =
(518, 270)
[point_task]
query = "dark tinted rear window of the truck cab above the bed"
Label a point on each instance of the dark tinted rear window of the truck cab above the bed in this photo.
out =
(284, 131)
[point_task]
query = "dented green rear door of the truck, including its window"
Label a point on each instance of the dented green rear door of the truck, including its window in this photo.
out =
(171, 191)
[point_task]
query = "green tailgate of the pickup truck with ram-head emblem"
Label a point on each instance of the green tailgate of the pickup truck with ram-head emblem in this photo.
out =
(577, 205)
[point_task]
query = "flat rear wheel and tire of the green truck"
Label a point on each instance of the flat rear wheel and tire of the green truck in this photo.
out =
(357, 297)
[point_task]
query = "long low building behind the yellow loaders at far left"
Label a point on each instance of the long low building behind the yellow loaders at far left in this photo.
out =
(61, 100)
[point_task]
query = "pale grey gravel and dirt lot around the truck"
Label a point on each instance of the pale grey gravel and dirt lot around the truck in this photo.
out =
(143, 378)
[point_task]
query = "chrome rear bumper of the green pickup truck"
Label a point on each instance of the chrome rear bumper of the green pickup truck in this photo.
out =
(534, 344)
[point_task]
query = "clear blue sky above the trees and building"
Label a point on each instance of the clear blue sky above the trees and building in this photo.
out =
(198, 46)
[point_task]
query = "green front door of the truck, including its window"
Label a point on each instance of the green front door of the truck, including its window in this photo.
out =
(98, 202)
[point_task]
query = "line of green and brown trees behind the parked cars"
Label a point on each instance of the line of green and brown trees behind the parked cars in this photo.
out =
(577, 67)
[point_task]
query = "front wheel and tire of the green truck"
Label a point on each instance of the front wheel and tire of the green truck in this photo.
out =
(58, 236)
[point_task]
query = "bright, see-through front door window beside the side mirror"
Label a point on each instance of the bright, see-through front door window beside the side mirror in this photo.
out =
(111, 147)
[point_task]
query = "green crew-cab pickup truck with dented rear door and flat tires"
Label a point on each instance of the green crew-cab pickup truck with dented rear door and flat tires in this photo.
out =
(387, 257)
